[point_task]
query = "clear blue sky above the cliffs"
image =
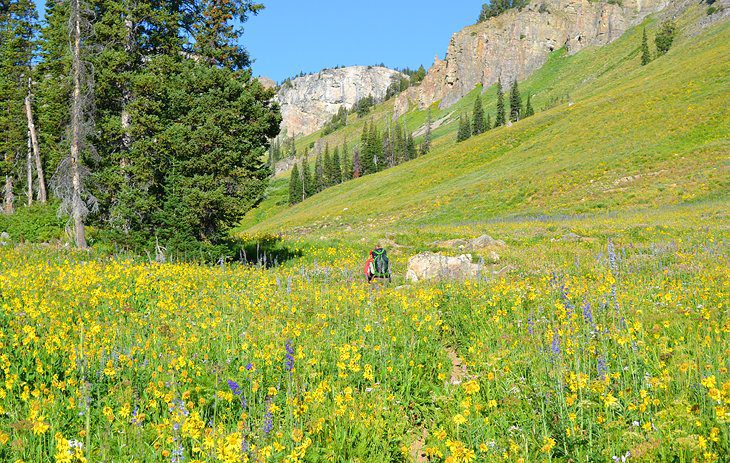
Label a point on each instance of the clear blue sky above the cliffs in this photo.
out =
(297, 35)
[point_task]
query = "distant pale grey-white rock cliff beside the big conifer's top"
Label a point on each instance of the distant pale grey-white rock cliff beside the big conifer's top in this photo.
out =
(308, 102)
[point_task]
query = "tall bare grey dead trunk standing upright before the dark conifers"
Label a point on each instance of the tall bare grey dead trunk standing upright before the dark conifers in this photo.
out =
(77, 205)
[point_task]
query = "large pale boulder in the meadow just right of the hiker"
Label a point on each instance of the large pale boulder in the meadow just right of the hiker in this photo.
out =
(432, 266)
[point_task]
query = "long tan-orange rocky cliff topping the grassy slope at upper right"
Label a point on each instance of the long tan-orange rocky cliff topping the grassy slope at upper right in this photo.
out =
(518, 42)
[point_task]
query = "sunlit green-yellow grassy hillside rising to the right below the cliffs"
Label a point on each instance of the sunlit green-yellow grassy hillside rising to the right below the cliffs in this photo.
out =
(628, 137)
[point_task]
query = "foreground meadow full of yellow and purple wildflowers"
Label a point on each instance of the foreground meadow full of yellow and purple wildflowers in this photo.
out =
(605, 350)
